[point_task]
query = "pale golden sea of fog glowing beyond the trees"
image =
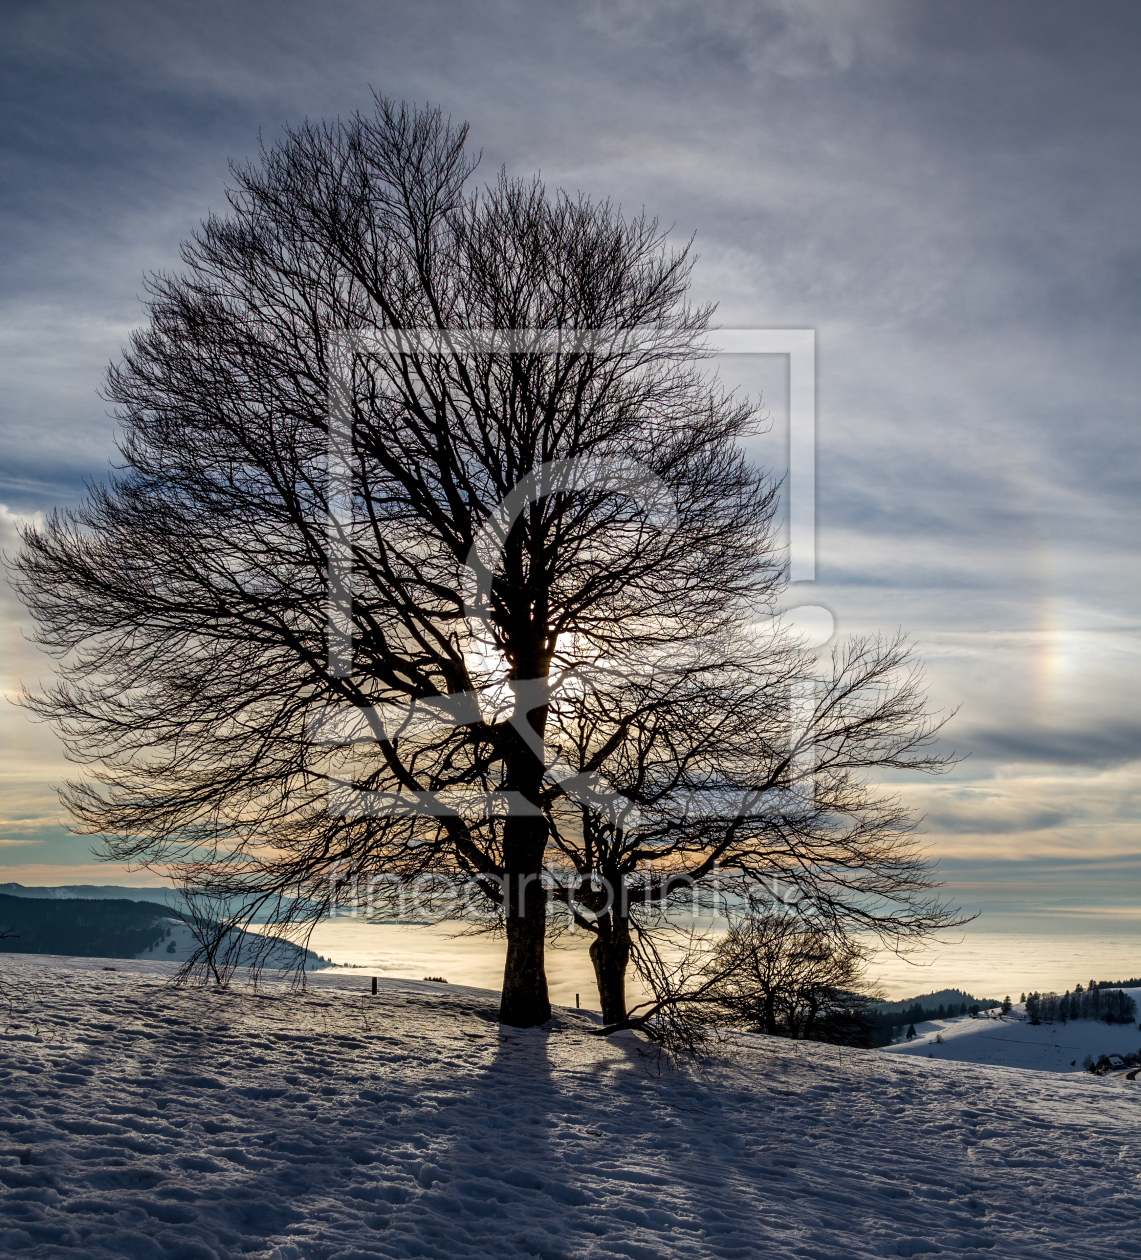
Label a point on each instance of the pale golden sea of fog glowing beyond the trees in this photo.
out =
(987, 962)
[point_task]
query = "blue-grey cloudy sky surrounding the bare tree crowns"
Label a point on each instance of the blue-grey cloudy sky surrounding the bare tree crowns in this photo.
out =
(946, 192)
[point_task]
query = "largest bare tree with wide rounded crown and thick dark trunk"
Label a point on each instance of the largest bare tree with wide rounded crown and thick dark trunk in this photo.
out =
(308, 629)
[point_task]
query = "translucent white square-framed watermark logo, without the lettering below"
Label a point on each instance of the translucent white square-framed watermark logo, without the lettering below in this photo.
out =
(348, 725)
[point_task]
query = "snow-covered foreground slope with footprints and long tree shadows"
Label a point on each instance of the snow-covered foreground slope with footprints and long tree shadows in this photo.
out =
(143, 1121)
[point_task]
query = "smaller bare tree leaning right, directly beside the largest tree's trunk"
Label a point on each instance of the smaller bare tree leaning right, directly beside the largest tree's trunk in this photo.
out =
(722, 782)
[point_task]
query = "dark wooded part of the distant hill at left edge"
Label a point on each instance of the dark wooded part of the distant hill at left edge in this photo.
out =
(82, 928)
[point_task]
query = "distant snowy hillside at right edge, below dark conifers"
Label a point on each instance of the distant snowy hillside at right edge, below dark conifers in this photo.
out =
(1013, 1041)
